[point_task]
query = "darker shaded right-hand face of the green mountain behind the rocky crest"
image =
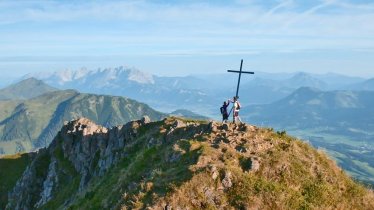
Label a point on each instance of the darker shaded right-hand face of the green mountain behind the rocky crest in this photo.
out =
(102, 109)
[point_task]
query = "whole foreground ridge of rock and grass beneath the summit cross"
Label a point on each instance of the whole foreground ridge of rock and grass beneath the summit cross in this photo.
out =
(182, 164)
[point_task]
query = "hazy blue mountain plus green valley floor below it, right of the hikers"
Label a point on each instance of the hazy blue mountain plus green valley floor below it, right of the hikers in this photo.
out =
(341, 122)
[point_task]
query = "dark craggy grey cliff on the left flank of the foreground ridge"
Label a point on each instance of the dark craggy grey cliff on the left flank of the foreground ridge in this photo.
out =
(81, 149)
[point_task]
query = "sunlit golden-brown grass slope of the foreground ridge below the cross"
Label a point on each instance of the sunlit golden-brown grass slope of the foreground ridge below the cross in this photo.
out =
(292, 175)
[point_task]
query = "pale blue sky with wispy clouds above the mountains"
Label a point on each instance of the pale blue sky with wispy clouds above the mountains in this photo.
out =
(188, 37)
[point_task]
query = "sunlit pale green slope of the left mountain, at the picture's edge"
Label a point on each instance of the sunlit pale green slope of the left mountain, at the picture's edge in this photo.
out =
(24, 120)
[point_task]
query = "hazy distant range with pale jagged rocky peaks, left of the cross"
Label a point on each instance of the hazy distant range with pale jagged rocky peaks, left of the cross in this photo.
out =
(131, 83)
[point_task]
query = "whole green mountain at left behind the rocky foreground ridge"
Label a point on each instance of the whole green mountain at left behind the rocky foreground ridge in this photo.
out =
(26, 125)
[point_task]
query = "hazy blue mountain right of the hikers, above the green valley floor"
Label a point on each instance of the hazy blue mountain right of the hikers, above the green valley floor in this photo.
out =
(310, 107)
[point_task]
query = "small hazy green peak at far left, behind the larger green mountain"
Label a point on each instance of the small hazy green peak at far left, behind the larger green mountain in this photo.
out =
(25, 89)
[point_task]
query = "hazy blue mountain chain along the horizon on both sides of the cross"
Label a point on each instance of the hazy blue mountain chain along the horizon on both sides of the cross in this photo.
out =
(199, 93)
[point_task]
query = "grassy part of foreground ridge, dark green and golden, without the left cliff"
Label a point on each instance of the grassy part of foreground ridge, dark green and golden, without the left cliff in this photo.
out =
(178, 171)
